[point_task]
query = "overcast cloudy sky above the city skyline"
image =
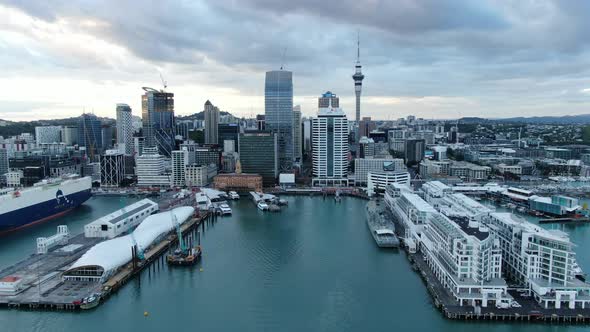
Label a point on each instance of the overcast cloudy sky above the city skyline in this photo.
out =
(431, 58)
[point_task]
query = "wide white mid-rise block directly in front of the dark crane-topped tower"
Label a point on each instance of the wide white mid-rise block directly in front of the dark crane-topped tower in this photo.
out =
(150, 169)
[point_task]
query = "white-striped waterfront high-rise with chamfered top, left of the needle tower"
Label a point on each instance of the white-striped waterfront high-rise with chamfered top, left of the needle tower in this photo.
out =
(330, 147)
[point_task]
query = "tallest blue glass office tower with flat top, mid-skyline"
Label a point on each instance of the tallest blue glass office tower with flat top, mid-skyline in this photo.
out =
(278, 108)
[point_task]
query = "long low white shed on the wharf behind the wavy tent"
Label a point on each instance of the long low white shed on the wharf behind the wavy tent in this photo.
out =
(121, 221)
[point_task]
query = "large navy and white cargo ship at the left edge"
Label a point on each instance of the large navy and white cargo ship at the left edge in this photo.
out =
(46, 200)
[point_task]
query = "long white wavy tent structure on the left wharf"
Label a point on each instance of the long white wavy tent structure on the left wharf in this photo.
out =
(105, 258)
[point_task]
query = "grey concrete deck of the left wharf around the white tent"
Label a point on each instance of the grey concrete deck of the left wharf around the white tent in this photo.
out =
(41, 274)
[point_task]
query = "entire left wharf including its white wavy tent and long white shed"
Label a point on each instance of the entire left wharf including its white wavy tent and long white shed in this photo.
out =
(78, 272)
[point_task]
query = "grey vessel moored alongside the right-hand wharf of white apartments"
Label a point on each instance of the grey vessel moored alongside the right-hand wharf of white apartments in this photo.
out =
(382, 230)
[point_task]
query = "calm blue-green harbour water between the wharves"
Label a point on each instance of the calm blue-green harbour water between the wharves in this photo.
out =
(313, 267)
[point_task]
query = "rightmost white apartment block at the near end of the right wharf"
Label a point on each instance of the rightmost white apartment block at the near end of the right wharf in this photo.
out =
(541, 260)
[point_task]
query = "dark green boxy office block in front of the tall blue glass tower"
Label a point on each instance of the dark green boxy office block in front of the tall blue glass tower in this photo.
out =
(259, 155)
